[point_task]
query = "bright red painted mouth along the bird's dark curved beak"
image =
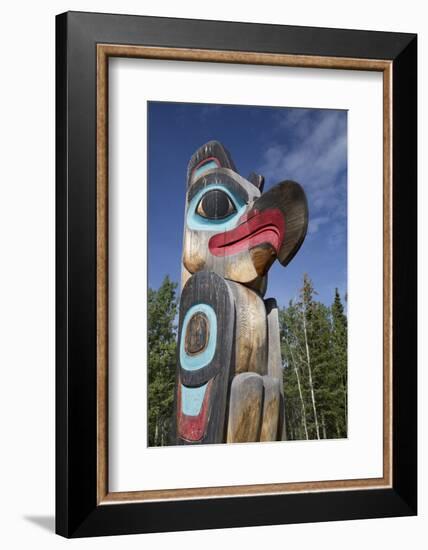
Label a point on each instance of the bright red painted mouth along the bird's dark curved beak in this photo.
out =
(265, 227)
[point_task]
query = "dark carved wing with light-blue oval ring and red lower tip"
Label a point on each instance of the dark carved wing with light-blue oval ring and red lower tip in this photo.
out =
(203, 378)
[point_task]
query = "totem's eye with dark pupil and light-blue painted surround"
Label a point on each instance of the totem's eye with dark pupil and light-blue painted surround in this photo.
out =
(214, 208)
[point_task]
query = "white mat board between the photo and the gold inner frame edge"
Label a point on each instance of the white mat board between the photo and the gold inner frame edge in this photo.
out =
(133, 466)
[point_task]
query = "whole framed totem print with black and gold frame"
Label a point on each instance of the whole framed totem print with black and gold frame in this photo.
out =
(236, 274)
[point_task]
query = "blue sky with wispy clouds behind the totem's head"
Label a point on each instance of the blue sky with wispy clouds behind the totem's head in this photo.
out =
(306, 145)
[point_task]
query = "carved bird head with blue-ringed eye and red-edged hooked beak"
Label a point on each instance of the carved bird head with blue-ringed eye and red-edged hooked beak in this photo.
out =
(234, 229)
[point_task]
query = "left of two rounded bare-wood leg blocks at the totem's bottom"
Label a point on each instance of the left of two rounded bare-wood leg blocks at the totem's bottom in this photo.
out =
(245, 408)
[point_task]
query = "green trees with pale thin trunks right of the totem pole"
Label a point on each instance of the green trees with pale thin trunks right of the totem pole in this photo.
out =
(314, 349)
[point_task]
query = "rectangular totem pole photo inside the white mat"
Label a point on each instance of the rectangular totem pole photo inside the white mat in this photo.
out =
(247, 272)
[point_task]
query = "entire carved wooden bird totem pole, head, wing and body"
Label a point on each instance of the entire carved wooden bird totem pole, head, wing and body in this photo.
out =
(229, 373)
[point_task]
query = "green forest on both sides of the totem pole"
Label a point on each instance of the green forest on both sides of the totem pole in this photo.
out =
(314, 351)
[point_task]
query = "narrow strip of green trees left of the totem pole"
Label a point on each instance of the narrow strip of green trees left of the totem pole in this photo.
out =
(162, 310)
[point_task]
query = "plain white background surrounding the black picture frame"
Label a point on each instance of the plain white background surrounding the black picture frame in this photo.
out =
(27, 274)
